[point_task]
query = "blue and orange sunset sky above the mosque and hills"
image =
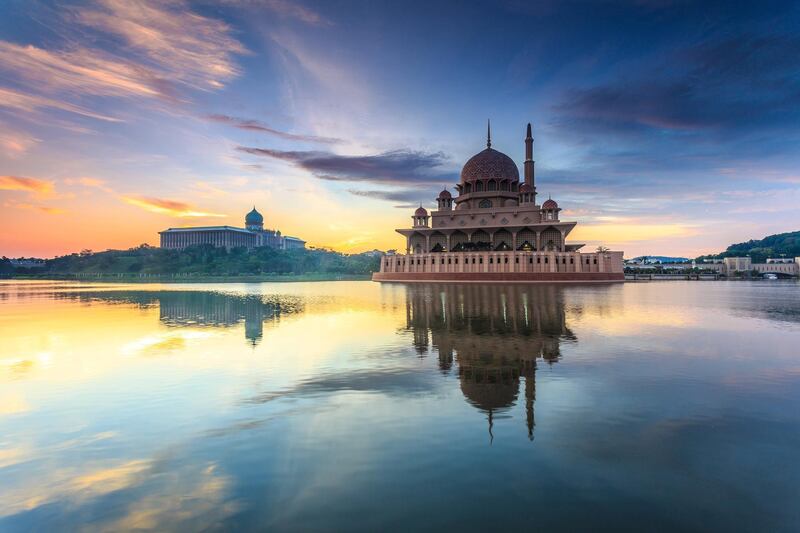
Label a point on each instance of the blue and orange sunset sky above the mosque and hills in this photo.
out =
(662, 127)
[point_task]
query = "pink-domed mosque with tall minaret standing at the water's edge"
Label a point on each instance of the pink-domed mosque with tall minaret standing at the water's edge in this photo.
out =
(494, 230)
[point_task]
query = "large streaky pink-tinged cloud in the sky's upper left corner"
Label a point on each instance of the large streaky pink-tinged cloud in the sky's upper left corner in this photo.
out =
(145, 51)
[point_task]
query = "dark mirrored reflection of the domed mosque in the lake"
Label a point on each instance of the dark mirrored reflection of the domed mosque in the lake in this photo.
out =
(495, 333)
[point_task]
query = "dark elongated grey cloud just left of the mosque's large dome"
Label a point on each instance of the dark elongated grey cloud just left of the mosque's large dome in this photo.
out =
(398, 167)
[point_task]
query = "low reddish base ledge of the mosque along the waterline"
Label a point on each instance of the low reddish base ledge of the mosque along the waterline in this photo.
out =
(499, 277)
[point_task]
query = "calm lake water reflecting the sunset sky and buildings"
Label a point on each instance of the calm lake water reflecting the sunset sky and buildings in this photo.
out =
(364, 407)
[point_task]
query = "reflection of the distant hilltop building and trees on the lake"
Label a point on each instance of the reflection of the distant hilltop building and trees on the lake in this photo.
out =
(204, 309)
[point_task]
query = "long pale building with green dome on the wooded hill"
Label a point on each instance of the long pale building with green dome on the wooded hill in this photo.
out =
(253, 235)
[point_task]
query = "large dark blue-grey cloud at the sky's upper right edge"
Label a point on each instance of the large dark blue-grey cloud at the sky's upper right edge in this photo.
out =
(723, 86)
